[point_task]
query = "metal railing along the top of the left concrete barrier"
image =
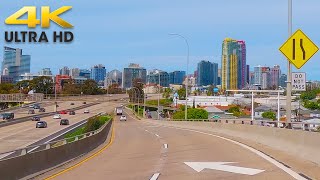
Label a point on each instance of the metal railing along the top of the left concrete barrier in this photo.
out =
(53, 144)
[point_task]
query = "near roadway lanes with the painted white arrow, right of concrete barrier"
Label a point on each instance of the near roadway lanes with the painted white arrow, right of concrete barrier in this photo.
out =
(144, 149)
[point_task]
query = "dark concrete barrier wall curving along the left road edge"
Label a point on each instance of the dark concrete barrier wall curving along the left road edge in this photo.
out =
(25, 165)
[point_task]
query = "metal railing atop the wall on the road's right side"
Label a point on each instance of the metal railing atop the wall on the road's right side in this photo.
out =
(275, 124)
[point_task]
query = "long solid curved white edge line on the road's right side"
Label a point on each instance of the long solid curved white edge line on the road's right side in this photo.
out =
(274, 162)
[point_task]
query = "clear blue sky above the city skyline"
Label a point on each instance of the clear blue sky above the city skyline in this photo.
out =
(117, 32)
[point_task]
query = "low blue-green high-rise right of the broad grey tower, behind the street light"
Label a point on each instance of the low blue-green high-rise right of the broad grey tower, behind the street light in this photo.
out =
(153, 78)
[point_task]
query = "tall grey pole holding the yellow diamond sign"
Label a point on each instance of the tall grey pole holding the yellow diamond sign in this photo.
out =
(288, 103)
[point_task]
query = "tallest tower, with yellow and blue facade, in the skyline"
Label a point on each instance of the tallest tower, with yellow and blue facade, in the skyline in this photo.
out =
(233, 64)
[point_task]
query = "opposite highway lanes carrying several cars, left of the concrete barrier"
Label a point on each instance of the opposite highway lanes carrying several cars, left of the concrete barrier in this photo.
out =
(23, 134)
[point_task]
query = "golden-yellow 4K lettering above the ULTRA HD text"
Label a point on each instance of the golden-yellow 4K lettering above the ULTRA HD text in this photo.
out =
(46, 17)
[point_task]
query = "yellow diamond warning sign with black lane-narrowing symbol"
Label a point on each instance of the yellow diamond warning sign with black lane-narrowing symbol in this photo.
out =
(298, 49)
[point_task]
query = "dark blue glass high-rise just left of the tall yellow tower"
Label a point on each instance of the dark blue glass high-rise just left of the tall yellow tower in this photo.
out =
(207, 73)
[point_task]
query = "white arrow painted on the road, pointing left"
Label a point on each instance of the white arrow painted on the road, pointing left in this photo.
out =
(221, 166)
